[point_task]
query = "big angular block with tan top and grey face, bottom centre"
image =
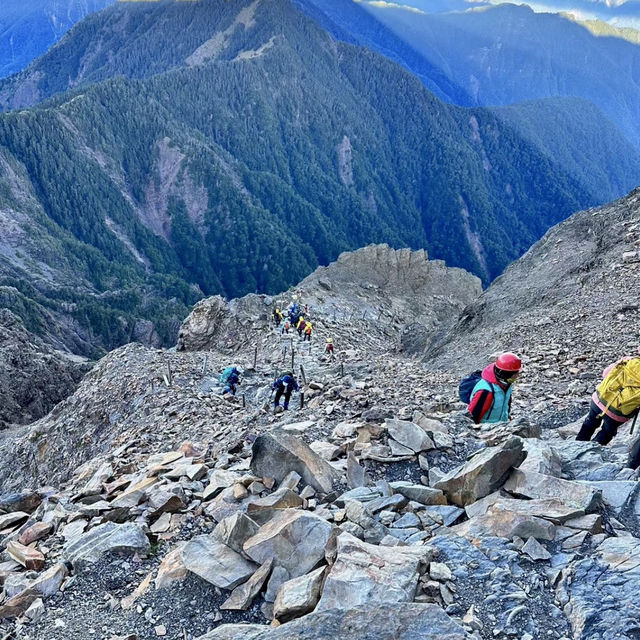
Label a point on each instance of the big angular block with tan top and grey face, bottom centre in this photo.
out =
(296, 541)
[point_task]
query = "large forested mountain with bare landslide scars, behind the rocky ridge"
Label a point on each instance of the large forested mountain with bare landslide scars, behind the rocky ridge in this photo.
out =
(174, 149)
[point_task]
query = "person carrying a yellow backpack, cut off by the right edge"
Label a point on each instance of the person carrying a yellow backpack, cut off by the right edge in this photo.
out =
(615, 401)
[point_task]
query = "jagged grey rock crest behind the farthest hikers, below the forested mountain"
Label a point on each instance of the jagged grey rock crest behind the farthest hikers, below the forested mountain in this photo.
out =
(400, 294)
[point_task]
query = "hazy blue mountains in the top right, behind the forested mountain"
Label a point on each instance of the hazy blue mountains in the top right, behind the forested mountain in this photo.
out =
(497, 56)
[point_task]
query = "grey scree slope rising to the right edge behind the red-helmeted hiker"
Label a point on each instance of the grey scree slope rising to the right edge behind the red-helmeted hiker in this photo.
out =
(570, 306)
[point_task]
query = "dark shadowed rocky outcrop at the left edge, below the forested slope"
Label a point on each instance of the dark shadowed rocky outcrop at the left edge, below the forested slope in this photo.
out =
(33, 376)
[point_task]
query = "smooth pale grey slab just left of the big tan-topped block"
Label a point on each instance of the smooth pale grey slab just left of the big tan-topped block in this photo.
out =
(216, 563)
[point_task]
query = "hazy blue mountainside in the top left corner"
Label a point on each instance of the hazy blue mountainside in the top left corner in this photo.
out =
(29, 27)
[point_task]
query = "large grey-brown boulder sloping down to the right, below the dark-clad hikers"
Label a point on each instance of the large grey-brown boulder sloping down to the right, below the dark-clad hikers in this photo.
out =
(276, 457)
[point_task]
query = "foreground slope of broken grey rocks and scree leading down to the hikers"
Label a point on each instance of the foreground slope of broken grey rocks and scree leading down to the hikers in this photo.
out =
(376, 506)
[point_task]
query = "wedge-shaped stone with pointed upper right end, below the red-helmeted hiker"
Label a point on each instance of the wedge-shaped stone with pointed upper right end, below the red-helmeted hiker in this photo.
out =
(483, 474)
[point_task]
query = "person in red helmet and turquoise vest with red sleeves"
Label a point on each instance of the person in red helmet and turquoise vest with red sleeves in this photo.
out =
(490, 399)
